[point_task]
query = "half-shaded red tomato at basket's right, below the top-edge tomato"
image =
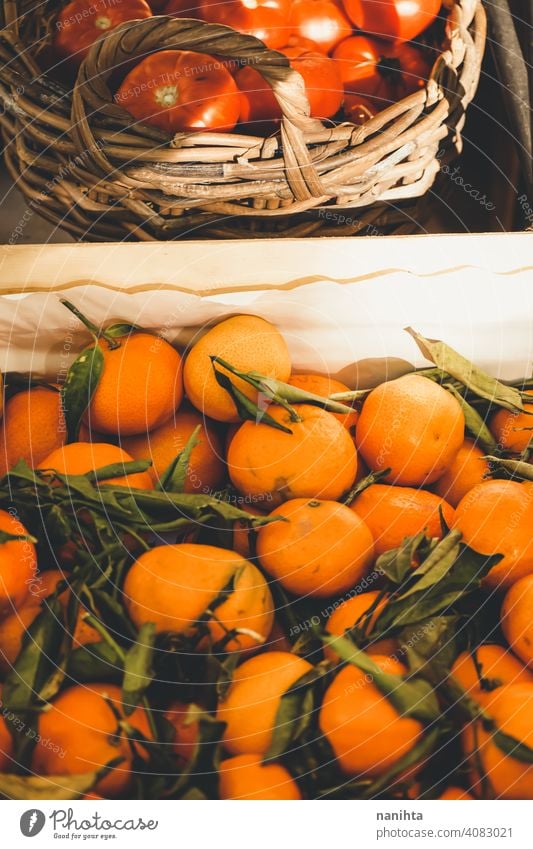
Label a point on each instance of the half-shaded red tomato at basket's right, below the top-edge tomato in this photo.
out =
(379, 70)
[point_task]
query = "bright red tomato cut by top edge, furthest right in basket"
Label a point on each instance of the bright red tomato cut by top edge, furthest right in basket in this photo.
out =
(398, 20)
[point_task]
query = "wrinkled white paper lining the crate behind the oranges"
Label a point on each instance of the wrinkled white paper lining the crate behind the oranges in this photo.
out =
(352, 330)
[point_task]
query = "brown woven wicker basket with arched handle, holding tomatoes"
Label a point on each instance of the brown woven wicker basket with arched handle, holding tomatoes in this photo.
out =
(84, 164)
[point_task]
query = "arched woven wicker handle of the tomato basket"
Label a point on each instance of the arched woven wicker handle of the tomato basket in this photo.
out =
(136, 39)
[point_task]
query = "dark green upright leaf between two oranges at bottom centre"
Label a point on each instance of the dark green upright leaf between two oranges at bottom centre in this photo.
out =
(294, 714)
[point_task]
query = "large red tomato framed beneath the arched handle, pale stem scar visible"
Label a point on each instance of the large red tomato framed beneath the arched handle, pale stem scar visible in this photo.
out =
(181, 91)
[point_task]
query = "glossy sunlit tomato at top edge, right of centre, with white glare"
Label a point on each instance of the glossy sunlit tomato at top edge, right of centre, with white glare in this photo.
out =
(323, 21)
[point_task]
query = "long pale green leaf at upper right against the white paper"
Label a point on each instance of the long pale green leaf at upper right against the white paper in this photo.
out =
(478, 381)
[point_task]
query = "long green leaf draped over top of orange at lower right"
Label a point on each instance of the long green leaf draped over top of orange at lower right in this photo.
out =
(415, 698)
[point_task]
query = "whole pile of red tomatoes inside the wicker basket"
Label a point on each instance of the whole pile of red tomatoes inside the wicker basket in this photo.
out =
(356, 57)
